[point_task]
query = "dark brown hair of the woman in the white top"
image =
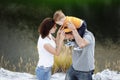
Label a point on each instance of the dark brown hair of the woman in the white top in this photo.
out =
(45, 26)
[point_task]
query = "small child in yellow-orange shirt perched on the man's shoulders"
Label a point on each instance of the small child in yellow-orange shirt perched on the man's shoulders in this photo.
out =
(62, 20)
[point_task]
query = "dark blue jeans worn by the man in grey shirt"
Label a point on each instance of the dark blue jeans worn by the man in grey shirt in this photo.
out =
(78, 75)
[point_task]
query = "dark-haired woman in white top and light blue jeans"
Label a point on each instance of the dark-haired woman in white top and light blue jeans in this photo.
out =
(47, 46)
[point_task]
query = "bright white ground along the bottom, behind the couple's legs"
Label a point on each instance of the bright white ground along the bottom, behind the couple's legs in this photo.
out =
(9, 75)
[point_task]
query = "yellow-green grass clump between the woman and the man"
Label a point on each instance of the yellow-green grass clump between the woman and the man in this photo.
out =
(63, 61)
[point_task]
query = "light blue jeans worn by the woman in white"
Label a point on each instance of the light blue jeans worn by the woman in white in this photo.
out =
(43, 73)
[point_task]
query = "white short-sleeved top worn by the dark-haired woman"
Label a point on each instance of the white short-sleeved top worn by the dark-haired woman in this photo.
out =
(46, 58)
